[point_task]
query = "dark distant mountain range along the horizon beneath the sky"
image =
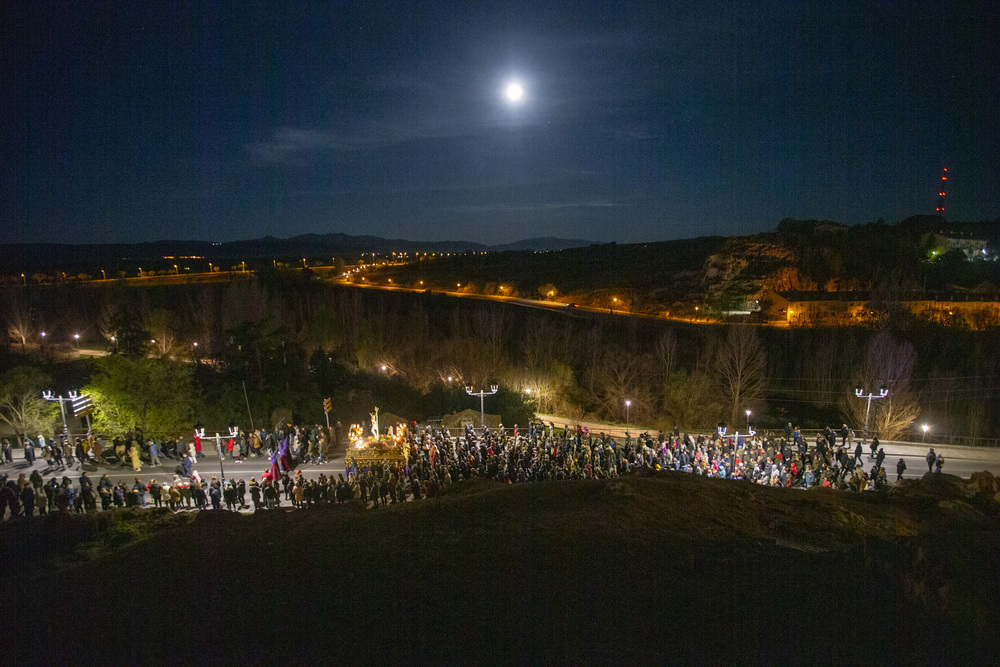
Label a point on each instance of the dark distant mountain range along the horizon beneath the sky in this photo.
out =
(34, 257)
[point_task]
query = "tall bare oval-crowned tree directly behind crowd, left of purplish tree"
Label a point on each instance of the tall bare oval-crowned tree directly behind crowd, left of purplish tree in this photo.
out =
(740, 366)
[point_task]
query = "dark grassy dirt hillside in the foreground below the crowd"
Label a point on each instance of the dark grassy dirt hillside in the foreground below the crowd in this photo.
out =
(661, 568)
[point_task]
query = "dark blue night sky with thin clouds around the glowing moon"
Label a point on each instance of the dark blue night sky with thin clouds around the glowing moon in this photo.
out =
(135, 121)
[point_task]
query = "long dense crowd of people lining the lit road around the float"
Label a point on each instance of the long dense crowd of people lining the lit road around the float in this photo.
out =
(435, 460)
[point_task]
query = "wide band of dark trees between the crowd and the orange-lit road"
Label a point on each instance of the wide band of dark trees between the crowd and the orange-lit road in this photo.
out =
(290, 341)
